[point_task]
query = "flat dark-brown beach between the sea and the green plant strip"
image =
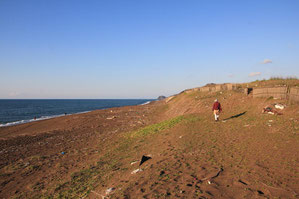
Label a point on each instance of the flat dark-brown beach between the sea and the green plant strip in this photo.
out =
(50, 150)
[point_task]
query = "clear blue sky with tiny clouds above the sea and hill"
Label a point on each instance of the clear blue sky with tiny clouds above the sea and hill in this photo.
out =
(142, 48)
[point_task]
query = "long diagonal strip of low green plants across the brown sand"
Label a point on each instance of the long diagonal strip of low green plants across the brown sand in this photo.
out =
(82, 182)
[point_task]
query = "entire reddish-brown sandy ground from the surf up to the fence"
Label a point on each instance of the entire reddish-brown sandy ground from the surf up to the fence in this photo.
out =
(246, 155)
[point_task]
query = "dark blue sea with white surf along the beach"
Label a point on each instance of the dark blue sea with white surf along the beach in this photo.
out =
(13, 112)
